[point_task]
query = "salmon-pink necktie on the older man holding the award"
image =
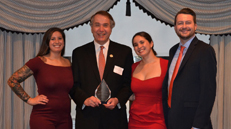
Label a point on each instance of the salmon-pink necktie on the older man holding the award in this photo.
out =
(101, 62)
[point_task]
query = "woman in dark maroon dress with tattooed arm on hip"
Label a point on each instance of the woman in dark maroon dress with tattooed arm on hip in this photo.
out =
(53, 75)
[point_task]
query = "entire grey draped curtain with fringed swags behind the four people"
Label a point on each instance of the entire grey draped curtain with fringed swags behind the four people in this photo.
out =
(22, 24)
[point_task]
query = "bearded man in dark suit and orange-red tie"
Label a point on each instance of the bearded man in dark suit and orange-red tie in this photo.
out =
(189, 94)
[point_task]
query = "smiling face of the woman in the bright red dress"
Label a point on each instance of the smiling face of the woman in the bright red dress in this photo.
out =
(142, 46)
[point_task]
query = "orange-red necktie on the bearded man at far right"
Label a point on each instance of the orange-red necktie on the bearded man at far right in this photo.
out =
(174, 75)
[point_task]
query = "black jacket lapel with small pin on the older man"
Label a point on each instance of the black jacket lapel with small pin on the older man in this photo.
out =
(111, 55)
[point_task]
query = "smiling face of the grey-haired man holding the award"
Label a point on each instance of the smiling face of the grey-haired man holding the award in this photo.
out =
(101, 29)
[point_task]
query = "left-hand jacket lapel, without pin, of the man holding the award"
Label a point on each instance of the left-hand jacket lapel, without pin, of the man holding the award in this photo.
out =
(92, 59)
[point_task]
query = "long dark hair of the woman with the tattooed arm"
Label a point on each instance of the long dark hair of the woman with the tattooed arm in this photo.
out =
(45, 49)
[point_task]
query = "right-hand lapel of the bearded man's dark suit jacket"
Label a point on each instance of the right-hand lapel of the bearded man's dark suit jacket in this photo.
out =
(188, 53)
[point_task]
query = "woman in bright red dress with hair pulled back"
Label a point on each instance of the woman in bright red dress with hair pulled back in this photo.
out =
(146, 111)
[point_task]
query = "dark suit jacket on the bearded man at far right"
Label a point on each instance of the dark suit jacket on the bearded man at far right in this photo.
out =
(194, 88)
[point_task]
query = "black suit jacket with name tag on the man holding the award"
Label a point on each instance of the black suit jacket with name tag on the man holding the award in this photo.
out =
(87, 78)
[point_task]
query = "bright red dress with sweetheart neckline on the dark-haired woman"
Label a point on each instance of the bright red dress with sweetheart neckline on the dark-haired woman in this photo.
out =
(146, 111)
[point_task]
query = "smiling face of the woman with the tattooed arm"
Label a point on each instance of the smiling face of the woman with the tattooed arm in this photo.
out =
(56, 43)
